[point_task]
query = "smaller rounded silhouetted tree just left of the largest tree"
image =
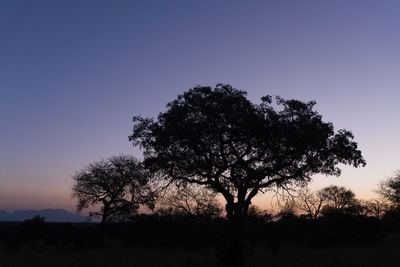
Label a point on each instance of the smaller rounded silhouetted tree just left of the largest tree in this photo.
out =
(118, 184)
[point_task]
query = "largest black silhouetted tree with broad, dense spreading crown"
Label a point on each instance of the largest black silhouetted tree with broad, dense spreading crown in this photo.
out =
(218, 138)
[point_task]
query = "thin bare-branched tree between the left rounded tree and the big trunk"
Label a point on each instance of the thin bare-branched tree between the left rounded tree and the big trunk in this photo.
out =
(191, 200)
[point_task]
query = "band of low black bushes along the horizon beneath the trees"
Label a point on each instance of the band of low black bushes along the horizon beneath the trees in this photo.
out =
(196, 232)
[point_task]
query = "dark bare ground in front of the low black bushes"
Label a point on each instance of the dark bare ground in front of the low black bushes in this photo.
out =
(385, 254)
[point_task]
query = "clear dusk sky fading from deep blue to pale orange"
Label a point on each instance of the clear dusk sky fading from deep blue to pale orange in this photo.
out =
(73, 73)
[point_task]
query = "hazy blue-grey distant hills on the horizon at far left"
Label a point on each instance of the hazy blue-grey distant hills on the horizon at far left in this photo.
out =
(50, 215)
